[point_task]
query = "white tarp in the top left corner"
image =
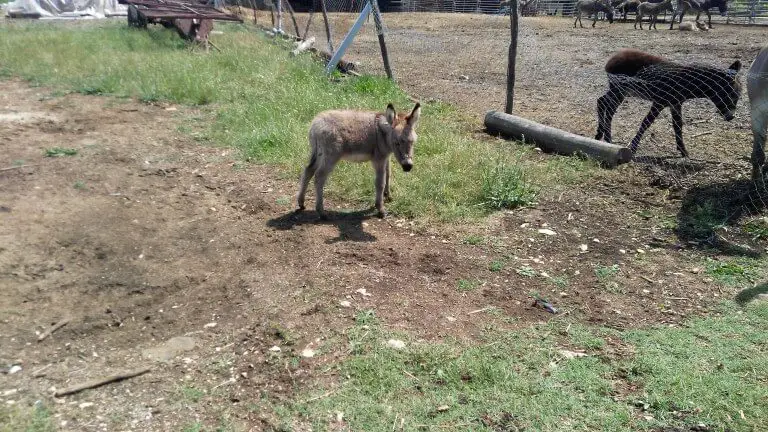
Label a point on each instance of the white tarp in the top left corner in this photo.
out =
(65, 8)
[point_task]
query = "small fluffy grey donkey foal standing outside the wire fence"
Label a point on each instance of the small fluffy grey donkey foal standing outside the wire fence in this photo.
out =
(359, 136)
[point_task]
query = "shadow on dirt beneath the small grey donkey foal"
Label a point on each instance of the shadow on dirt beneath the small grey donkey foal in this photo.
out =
(349, 224)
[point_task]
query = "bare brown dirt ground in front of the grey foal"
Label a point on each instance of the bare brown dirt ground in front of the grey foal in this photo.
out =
(146, 235)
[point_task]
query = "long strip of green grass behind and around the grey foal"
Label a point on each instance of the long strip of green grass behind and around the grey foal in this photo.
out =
(261, 100)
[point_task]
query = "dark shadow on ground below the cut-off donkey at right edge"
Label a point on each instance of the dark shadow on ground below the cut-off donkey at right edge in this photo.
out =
(706, 209)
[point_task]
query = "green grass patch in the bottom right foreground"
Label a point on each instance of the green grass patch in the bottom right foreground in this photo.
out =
(707, 371)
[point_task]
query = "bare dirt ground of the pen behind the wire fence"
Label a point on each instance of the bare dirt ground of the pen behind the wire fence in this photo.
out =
(462, 59)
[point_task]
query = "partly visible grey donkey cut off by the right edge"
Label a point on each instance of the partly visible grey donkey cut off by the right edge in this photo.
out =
(757, 89)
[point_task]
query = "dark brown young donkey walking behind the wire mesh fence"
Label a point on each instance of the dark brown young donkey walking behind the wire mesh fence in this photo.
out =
(633, 73)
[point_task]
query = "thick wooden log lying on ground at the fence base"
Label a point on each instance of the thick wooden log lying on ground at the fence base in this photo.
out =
(554, 140)
